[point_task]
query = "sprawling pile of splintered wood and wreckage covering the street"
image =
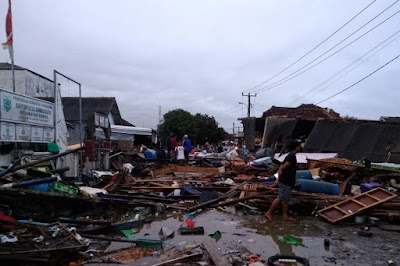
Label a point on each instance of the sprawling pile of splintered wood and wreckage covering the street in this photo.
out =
(51, 218)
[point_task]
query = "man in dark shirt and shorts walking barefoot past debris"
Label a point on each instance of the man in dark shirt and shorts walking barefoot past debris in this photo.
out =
(287, 180)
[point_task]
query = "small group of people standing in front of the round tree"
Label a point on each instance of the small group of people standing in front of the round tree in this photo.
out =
(178, 150)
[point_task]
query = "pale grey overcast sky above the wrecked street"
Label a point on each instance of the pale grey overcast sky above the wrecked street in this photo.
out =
(201, 55)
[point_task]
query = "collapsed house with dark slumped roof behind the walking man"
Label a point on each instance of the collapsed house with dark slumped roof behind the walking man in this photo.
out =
(324, 131)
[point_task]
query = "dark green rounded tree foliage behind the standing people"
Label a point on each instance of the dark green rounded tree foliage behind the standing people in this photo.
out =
(199, 127)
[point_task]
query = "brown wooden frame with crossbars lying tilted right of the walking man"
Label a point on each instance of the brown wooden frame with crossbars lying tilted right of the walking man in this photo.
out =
(383, 194)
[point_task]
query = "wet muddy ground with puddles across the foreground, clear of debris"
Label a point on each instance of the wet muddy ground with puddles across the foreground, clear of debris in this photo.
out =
(261, 237)
